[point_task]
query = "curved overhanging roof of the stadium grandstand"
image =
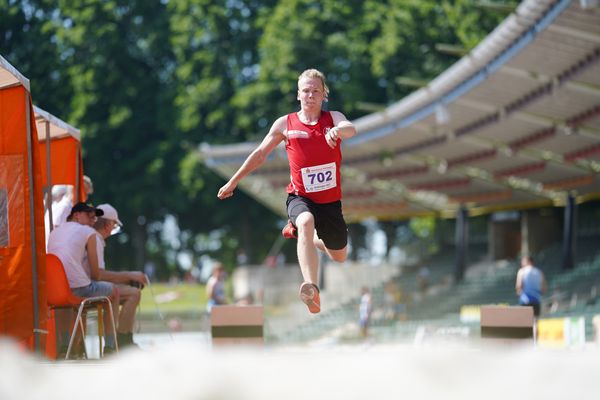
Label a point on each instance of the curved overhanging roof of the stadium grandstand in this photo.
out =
(513, 124)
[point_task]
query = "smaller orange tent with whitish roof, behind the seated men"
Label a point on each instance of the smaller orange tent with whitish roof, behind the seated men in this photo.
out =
(60, 155)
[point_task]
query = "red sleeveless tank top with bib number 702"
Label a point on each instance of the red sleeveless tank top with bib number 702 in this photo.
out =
(314, 166)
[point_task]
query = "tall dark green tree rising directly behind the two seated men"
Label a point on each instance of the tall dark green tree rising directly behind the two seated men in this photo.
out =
(117, 56)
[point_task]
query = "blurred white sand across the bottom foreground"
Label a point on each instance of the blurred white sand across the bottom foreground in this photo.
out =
(365, 372)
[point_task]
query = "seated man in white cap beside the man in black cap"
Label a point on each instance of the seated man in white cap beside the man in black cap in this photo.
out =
(128, 295)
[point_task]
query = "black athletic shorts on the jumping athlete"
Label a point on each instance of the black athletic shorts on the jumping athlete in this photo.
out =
(329, 221)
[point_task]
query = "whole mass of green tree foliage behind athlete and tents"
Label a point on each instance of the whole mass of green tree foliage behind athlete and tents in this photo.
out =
(147, 82)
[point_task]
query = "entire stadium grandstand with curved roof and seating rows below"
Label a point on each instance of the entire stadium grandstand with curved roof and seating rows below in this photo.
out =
(509, 134)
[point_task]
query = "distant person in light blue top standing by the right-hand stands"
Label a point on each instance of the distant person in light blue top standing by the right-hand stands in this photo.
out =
(530, 285)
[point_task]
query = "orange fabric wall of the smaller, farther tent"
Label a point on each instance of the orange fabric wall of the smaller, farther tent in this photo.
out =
(65, 154)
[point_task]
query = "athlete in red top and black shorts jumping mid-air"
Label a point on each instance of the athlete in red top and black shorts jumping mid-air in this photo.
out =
(312, 140)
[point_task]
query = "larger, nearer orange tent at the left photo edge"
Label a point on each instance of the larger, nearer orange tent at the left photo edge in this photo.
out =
(23, 309)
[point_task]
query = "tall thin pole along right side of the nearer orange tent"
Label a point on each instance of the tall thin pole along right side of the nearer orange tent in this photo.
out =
(34, 280)
